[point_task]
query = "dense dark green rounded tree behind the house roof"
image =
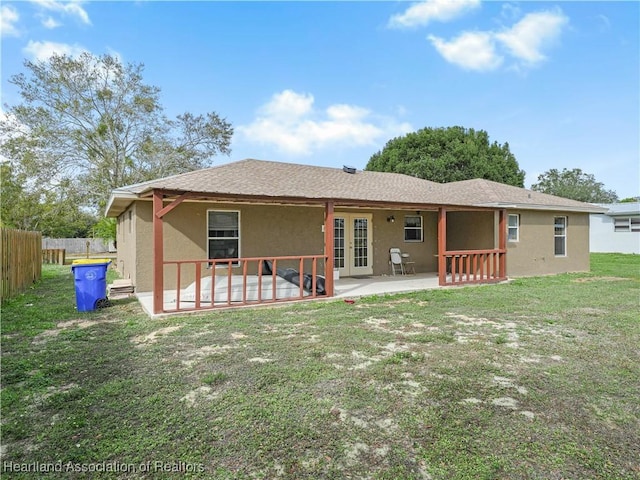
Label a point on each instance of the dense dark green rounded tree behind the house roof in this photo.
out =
(448, 155)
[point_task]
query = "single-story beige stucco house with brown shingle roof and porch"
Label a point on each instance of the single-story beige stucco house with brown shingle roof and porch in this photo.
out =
(223, 223)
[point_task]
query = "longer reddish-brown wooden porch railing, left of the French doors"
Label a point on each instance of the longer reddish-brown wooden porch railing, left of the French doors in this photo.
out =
(238, 281)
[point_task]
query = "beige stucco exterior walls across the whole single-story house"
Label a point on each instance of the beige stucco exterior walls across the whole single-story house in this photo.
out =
(272, 230)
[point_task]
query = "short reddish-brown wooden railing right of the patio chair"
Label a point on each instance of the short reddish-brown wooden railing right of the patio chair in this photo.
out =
(475, 266)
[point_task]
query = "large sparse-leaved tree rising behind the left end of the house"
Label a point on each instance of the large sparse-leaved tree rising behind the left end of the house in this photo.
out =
(91, 123)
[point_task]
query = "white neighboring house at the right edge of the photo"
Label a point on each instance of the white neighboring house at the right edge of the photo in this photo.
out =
(617, 230)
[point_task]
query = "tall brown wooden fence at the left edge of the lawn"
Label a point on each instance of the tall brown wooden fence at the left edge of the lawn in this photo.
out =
(21, 260)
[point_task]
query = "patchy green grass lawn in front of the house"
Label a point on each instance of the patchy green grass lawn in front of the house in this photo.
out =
(538, 378)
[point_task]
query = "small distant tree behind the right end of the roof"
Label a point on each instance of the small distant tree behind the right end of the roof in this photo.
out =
(574, 184)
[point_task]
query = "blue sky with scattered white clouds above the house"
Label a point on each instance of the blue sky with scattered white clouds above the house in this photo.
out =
(329, 83)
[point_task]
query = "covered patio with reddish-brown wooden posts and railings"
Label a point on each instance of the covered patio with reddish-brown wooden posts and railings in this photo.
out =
(246, 284)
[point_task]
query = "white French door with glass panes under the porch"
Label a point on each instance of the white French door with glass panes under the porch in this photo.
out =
(353, 244)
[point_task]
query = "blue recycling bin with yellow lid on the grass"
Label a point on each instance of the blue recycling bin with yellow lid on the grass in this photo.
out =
(91, 283)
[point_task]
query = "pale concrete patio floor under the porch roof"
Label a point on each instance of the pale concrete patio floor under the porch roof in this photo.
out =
(346, 287)
